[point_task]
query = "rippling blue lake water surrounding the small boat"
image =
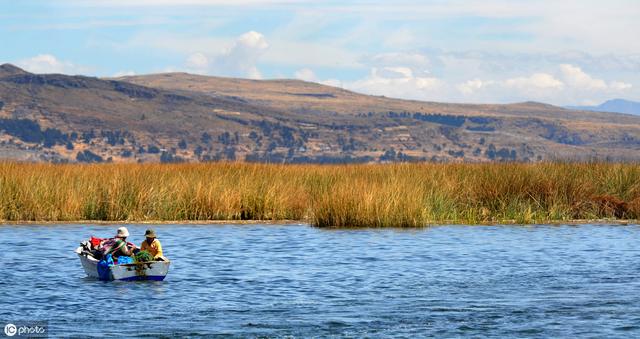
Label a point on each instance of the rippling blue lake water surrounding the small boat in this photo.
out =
(296, 280)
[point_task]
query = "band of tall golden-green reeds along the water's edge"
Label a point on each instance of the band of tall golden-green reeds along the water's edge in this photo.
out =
(381, 195)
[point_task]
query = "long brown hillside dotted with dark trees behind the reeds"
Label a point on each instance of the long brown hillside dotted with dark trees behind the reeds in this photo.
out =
(174, 117)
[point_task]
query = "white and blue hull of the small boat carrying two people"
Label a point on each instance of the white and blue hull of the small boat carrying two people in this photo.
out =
(151, 270)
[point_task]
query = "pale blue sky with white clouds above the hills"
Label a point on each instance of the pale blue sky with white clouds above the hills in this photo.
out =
(570, 52)
